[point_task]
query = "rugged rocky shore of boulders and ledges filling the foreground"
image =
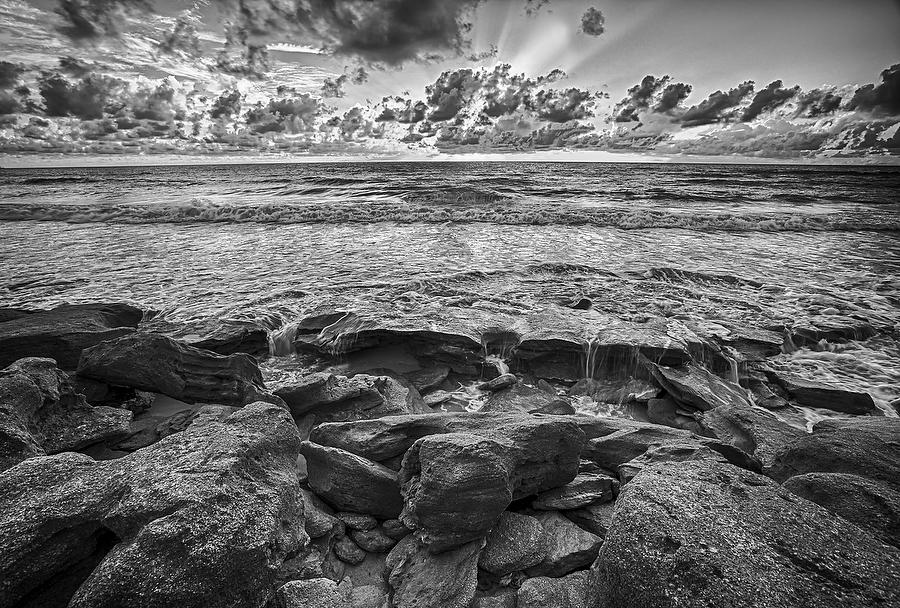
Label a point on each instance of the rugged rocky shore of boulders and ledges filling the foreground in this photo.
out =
(437, 465)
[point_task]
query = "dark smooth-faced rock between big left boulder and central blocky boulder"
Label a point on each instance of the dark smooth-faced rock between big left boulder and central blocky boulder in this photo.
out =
(352, 483)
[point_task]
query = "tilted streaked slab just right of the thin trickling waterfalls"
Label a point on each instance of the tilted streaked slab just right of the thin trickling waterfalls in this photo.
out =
(693, 385)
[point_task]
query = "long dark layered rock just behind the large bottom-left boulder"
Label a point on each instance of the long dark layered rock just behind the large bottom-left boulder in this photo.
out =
(159, 364)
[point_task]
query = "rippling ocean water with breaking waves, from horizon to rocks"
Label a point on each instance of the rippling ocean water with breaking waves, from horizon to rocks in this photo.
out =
(754, 245)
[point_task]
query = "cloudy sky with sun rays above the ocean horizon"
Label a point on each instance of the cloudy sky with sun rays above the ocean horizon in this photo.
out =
(205, 80)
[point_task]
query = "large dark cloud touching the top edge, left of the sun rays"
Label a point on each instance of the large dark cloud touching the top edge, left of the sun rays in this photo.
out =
(379, 31)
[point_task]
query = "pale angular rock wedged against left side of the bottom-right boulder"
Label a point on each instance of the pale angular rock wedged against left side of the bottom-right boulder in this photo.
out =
(569, 547)
